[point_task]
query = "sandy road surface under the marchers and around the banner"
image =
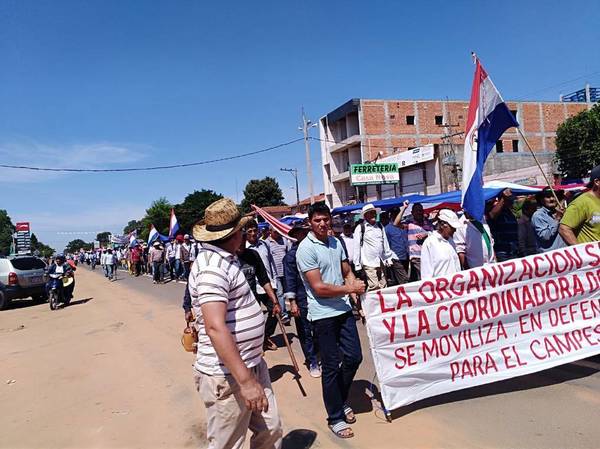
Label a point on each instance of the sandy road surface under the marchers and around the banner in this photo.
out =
(109, 371)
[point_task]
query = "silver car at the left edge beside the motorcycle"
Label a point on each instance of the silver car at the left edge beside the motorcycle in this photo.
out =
(23, 277)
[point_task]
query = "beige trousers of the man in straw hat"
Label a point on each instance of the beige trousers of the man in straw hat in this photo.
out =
(228, 419)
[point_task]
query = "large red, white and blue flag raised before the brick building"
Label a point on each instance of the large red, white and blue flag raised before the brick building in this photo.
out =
(487, 120)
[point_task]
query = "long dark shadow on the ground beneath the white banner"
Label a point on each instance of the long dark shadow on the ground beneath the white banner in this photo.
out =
(545, 378)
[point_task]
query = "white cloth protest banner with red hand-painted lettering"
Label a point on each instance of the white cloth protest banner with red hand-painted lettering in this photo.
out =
(485, 324)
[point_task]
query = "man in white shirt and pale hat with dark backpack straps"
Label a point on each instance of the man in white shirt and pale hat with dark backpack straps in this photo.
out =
(372, 249)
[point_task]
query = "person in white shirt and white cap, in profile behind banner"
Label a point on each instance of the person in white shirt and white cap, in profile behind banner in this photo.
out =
(438, 254)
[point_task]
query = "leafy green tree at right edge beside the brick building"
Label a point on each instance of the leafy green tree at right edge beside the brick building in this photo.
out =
(578, 143)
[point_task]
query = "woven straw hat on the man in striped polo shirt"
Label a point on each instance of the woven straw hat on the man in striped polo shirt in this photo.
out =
(221, 219)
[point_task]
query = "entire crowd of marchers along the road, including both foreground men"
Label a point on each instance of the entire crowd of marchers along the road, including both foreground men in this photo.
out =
(315, 275)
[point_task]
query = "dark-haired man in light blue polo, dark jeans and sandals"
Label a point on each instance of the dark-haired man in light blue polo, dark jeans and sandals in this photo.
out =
(329, 281)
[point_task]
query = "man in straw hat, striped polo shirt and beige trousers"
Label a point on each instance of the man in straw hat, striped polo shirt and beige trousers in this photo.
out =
(231, 375)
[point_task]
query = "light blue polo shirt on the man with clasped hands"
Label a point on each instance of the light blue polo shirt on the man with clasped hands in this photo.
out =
(313, 254)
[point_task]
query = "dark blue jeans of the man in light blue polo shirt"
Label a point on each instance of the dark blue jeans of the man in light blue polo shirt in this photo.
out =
(337, 335)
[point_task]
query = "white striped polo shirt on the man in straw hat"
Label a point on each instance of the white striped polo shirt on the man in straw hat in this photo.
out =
(216, 275)
